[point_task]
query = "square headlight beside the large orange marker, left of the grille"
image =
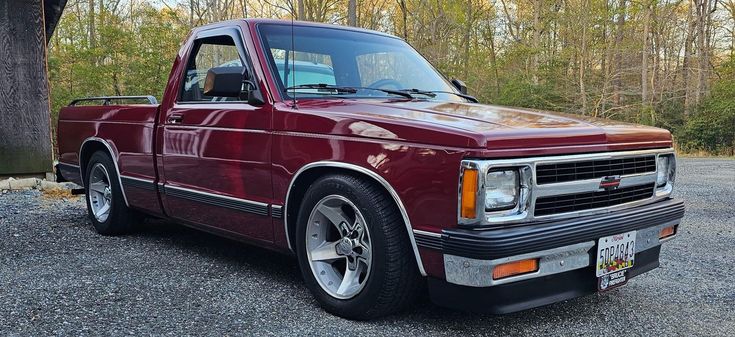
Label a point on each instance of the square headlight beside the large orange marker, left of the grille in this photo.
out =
(501, 190)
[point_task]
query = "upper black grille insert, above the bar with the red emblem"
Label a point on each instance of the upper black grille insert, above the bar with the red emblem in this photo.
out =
(591, 169)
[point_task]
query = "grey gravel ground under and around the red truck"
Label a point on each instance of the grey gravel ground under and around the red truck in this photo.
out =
(58, 277)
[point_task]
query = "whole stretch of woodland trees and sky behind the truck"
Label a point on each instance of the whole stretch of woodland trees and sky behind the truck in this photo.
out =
(667, 63)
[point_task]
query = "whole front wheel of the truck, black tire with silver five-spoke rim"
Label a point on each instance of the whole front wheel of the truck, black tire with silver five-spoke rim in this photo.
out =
(353, 249)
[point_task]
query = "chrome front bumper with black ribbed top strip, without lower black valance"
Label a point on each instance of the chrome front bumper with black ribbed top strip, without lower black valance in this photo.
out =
(561, 246)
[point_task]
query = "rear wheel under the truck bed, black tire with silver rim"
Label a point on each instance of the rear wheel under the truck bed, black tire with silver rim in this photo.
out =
(105, 202)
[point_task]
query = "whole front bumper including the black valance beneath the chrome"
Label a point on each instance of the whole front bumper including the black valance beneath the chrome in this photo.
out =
(564, 249)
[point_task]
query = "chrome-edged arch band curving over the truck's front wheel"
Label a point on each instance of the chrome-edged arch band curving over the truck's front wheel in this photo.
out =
(303, 180)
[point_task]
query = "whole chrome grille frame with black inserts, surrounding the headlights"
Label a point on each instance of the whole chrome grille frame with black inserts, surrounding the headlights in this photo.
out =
(557, 187)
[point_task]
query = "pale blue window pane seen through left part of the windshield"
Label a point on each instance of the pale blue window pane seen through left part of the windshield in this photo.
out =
(308, 68)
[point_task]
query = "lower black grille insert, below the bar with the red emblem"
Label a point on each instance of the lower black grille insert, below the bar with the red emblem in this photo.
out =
(589, 200)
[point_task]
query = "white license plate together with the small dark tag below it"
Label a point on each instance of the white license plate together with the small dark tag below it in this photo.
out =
(615, 254)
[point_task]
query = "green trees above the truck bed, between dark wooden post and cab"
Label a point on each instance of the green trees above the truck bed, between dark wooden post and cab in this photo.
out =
(132, 54)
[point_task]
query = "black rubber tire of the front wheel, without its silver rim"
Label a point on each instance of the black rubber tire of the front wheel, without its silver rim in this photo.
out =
(393, 282)
